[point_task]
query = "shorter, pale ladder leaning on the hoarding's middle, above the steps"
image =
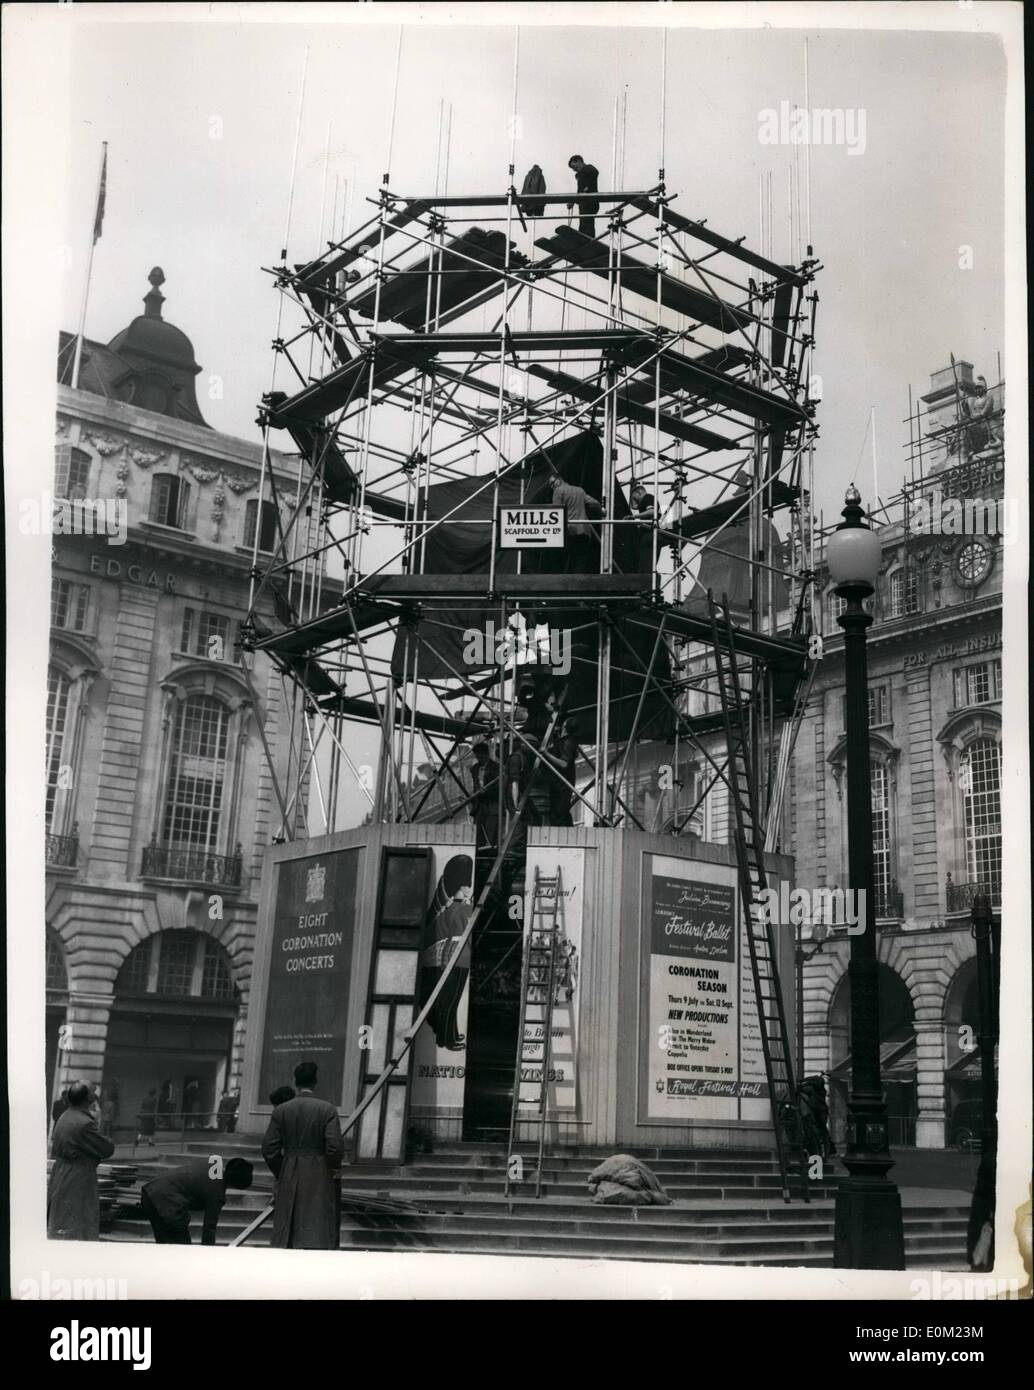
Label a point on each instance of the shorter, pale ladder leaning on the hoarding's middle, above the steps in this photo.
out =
(536, 1033)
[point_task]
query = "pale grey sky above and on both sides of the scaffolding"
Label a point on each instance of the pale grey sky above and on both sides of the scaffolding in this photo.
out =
(201, 122)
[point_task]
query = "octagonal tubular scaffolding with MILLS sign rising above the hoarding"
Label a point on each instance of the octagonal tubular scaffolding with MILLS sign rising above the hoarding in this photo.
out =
(433, 354)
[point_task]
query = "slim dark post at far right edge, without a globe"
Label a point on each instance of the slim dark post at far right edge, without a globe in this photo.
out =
(982, 1223)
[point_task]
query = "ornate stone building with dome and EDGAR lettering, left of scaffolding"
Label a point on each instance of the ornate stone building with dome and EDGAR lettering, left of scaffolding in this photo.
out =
(162, 747)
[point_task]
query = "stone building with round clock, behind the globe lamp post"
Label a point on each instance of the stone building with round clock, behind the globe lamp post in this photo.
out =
(936, 743)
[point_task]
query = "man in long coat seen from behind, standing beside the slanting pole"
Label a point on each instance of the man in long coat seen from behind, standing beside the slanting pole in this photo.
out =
(304, 1150)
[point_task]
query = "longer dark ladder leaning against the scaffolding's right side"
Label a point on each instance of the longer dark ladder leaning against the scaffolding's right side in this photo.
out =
(750, 846)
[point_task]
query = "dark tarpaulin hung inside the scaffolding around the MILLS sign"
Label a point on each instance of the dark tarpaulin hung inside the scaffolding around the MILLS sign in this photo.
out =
(465, 550)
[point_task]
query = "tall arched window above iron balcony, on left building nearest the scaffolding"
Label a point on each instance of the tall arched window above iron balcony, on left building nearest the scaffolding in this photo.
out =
(198, 769)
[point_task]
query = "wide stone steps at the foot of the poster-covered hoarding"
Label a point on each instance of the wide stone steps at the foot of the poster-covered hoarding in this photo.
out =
(728, 1210)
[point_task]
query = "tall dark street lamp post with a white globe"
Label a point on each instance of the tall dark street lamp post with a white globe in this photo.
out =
(869, 1231)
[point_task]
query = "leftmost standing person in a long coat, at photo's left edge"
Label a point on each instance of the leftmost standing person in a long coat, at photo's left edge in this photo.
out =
(77, 1146)
